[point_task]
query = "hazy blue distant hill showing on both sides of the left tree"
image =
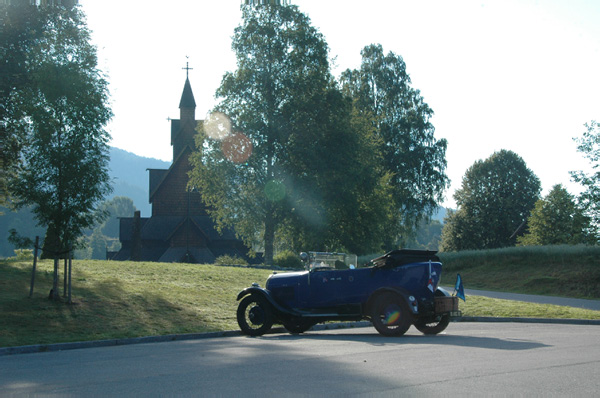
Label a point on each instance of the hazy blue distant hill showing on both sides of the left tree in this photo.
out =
(130, 179)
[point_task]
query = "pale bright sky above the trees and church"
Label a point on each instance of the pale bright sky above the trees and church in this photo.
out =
(521, 75)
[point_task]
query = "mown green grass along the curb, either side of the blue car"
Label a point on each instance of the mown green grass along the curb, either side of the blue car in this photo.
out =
(126, 299)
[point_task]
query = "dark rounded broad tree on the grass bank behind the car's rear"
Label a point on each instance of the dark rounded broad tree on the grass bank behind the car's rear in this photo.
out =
(494, 201)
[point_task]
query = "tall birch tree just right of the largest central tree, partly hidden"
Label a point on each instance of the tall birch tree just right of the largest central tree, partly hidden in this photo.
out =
(412, 155)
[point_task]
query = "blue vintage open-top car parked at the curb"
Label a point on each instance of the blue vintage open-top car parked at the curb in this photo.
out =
(395, 291)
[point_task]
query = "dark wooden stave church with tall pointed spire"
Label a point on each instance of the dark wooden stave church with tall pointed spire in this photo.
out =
(180, 229)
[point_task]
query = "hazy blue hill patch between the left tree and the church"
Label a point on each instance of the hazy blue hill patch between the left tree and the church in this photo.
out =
(130, 177)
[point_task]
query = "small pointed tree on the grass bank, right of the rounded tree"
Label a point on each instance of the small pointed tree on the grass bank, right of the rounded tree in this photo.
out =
(557, 220)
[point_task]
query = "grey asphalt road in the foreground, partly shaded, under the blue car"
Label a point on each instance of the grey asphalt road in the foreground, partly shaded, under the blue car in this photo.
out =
(471, 359)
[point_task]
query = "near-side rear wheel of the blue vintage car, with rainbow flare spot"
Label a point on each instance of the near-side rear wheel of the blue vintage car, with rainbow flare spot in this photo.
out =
(390, 315)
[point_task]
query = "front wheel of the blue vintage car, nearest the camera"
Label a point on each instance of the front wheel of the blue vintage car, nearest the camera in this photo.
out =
(254, 315)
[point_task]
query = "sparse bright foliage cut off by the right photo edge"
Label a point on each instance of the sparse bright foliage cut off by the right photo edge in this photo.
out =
(589, 146)
